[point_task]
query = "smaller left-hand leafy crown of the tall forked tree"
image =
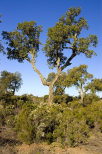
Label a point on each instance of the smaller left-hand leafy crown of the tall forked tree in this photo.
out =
(22, 41)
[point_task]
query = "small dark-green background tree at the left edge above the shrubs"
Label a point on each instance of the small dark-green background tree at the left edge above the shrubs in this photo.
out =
(10, 82)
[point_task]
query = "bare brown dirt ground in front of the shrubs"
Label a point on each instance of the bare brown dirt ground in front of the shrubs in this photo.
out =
(10, 145)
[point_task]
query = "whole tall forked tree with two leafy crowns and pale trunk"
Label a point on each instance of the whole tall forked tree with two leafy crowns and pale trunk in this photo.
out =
(23, 44)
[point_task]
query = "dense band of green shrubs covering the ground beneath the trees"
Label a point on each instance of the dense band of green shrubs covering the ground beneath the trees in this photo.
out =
(66, 122)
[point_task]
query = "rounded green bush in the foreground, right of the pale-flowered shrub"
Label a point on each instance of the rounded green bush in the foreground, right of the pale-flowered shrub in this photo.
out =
(72, 129)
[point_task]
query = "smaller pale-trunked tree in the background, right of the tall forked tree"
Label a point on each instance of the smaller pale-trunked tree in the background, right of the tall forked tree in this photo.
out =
(79, 77)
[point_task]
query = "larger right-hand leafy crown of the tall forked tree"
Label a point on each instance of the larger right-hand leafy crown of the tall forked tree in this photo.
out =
(66, 35)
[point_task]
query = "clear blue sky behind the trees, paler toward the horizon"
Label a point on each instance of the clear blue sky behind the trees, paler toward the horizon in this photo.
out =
(46, 13)
